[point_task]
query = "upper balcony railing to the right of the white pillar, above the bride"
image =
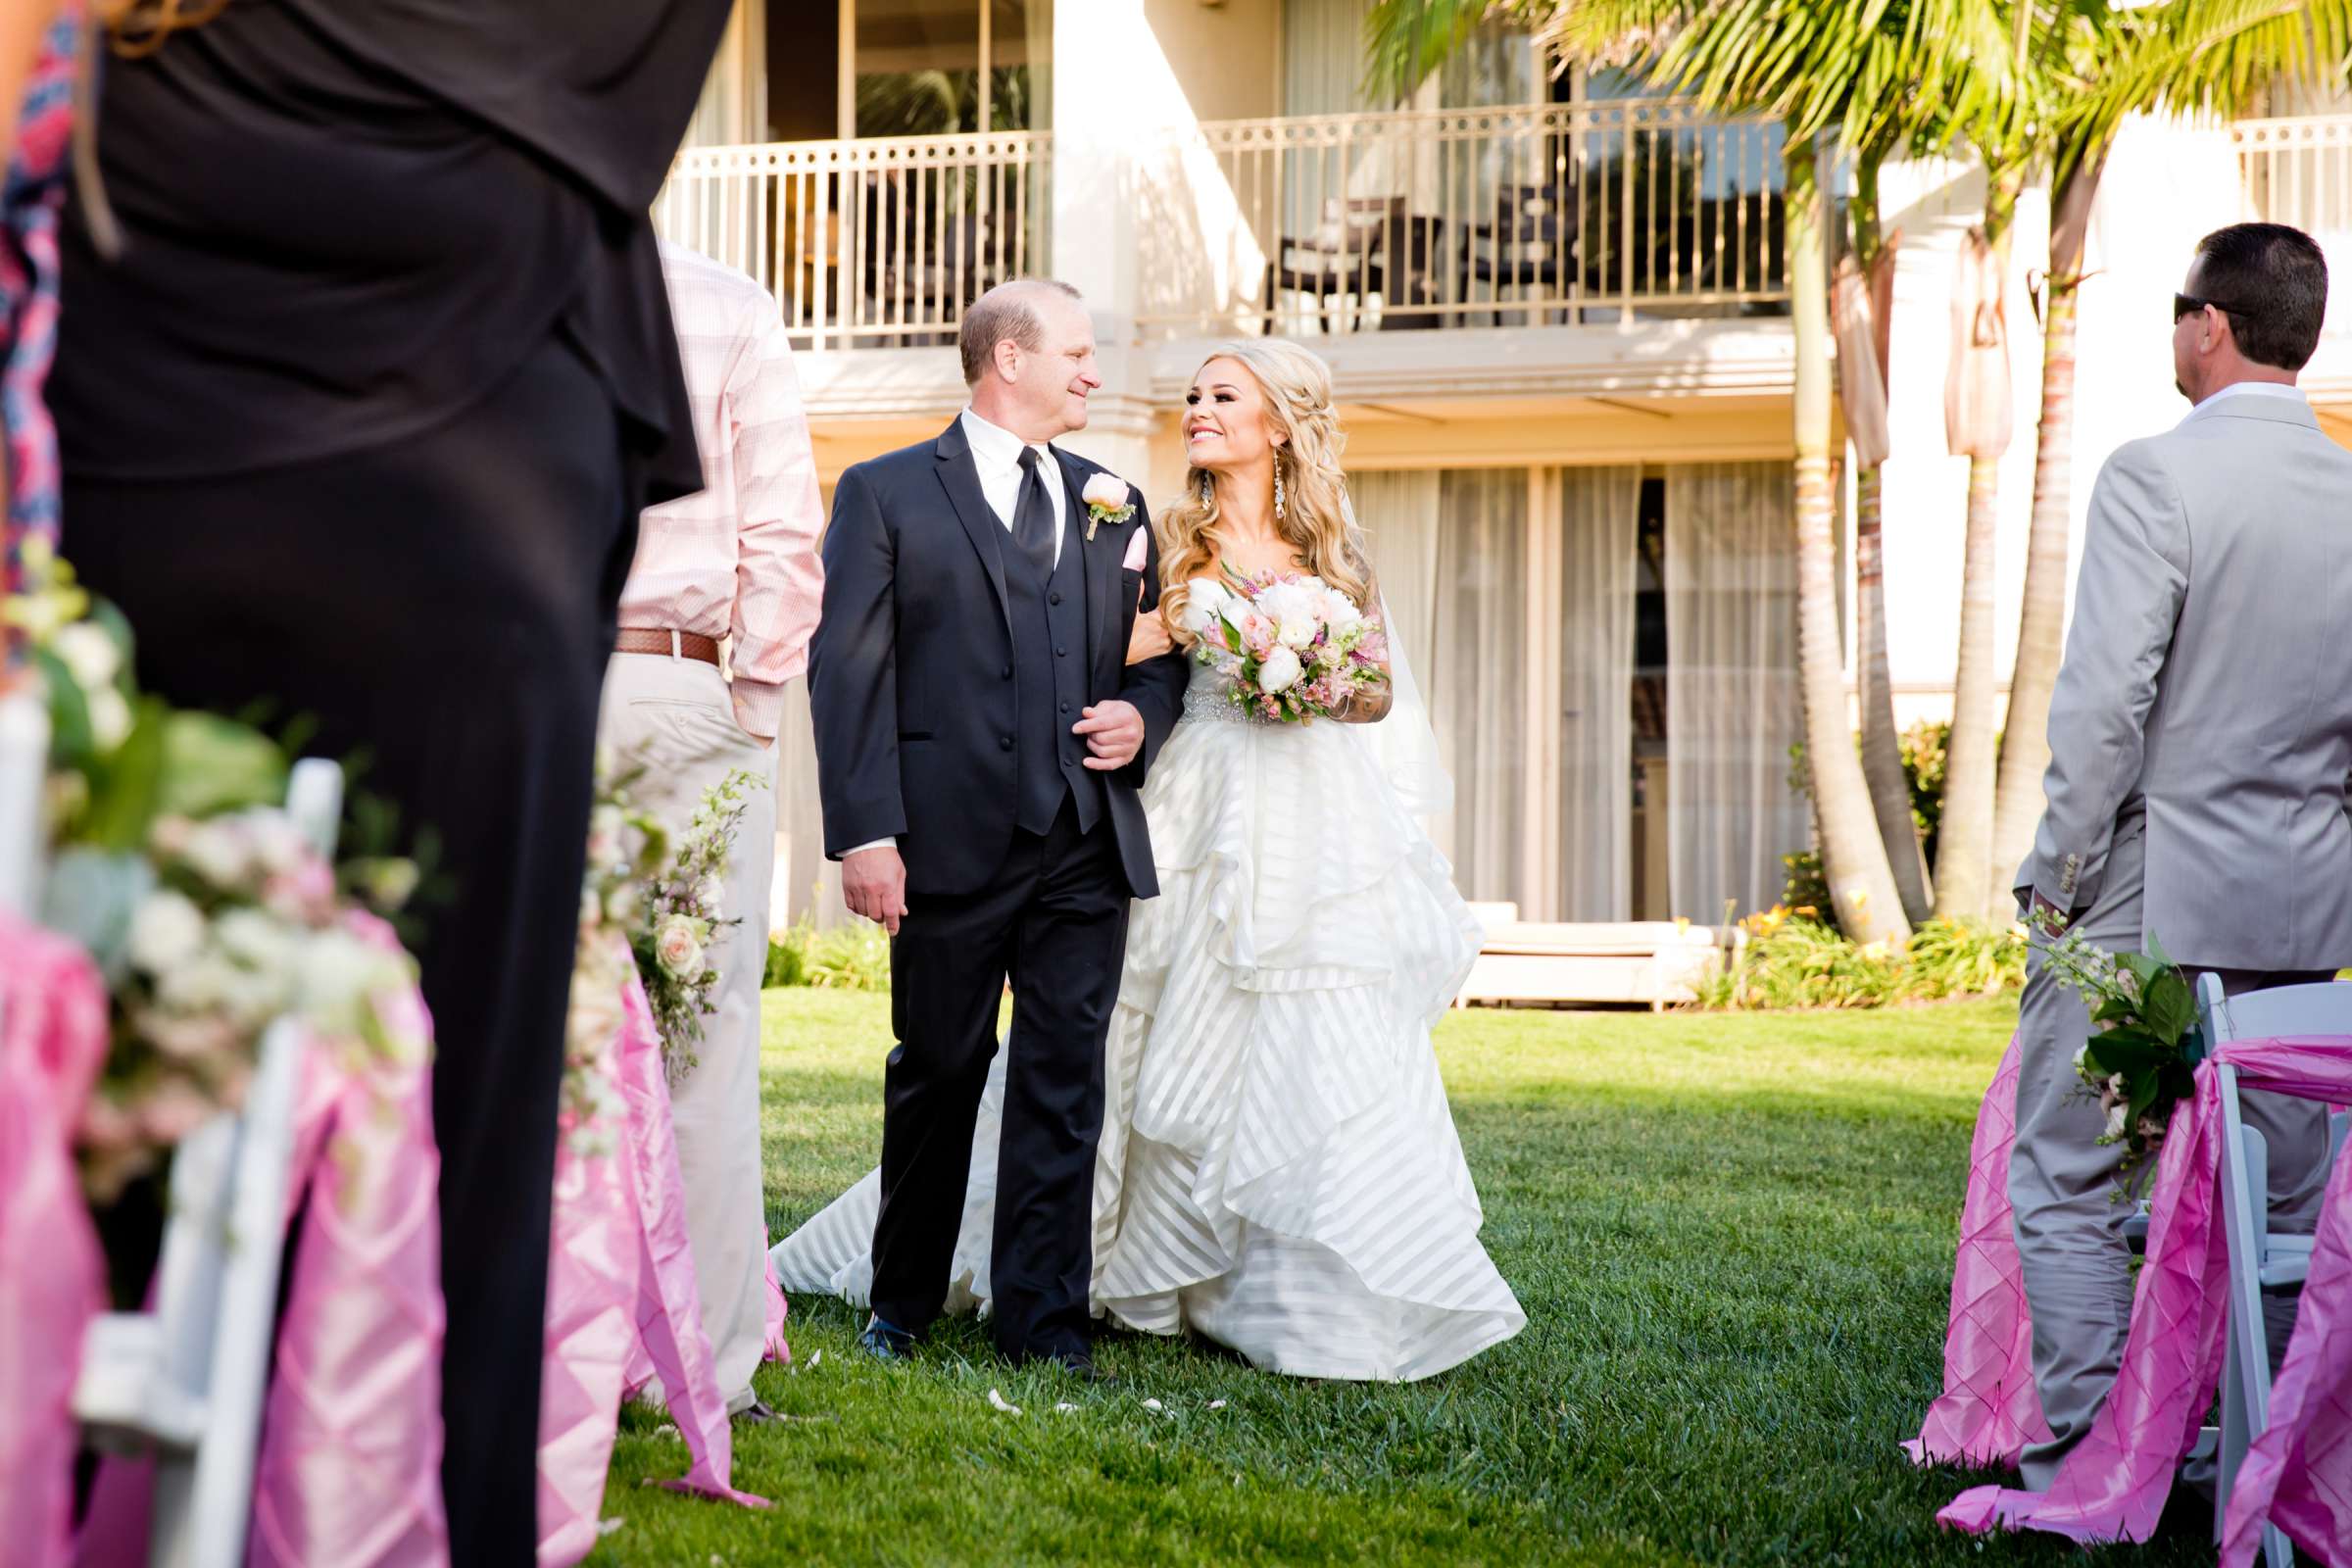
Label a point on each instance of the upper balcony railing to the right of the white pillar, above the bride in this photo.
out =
(1572, 213)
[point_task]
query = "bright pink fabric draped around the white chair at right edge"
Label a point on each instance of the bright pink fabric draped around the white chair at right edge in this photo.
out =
(2116, 1482)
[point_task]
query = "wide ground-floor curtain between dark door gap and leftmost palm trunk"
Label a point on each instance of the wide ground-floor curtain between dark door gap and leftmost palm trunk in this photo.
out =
(1732, 704)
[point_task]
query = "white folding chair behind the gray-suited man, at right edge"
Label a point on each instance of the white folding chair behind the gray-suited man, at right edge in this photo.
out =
(2259, 1261)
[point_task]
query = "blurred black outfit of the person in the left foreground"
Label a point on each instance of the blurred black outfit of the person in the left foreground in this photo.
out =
(359, 422)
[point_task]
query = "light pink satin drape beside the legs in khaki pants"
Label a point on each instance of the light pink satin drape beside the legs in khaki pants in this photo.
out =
(622, 1289)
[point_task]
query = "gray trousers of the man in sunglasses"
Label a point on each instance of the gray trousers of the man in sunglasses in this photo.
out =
(2062, 1181)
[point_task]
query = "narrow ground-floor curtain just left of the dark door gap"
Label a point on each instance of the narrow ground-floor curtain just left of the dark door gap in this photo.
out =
(1601, 521)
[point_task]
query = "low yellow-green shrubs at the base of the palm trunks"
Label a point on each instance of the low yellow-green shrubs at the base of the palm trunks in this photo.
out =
(1796, 960)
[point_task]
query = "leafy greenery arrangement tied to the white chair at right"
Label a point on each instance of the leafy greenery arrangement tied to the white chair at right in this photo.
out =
(2137, 1066)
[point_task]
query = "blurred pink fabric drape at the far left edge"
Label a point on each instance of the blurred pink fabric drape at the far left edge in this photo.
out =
(53, 1275)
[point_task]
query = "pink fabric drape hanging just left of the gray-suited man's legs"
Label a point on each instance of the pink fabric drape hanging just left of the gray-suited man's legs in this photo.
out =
(1989, 1407)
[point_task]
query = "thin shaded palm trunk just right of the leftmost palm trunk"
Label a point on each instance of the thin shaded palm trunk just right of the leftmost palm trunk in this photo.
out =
(1883, 751)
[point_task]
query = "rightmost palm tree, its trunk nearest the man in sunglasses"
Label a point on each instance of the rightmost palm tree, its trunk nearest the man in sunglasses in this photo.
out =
(2111, 65)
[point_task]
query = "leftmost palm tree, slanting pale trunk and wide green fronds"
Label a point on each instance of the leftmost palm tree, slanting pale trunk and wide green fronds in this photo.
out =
(1838, 74)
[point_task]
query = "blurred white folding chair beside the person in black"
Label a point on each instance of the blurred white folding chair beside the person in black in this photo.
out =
(185, 1379)
